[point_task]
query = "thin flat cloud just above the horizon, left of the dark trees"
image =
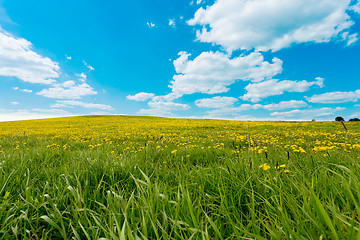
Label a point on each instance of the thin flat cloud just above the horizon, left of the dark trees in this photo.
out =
(308, 114)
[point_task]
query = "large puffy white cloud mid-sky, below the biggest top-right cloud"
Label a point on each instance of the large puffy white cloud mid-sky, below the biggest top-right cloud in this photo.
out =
(213, 72)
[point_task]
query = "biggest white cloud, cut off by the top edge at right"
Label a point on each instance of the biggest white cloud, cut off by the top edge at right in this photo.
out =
(272, 24)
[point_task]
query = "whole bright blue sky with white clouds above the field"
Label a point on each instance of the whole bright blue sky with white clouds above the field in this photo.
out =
(226, 59)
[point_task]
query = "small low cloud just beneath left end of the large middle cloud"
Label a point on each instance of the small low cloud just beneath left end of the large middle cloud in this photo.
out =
(165, 109)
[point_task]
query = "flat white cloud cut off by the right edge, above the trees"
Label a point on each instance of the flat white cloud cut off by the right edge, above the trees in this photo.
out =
(335, 97)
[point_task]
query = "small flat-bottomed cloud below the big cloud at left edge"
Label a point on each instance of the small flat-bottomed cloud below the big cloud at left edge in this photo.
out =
(67, 90)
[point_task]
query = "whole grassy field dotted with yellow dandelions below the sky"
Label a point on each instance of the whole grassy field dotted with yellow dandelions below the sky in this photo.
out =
(120, 177)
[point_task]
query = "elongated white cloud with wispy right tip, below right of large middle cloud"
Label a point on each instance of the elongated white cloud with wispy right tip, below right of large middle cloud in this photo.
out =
(258, 91)
